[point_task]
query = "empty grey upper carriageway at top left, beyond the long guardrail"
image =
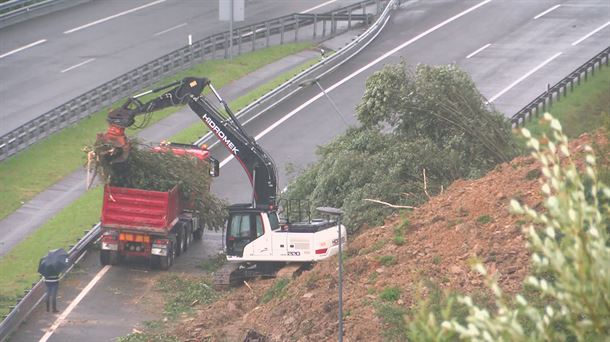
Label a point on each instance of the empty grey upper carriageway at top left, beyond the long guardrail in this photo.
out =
(46, 61)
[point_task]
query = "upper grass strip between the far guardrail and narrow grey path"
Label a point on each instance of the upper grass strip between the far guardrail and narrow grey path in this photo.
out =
(31, 171)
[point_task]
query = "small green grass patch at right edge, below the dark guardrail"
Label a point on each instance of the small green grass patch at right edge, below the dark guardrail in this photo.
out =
(583, 110)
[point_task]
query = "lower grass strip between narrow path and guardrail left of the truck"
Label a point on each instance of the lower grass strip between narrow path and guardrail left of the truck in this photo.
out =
(19, 266)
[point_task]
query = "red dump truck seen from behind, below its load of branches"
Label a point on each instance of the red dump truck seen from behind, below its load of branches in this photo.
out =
(157, 225)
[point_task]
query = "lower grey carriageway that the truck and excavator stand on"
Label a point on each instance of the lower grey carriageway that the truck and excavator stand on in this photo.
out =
(512, 49)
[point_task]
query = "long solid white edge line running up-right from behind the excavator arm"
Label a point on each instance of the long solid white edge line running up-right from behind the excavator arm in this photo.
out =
(359, 71)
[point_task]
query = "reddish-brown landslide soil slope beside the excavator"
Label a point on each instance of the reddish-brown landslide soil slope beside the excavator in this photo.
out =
(395, 263)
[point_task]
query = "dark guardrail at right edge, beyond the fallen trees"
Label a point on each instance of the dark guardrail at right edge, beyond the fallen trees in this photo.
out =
(539, 104)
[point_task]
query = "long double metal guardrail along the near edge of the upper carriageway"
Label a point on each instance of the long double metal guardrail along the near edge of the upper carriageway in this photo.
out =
(250, 37)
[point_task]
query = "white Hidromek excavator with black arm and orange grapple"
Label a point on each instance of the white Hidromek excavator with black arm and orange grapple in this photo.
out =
(257, 241)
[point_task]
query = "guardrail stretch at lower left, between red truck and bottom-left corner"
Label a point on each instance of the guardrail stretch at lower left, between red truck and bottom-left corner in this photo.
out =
(32, 297)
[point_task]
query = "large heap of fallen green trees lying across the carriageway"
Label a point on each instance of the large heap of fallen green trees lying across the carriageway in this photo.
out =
(434, 119)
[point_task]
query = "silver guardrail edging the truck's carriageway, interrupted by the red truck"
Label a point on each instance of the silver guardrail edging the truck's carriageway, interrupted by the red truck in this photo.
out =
(35, 295)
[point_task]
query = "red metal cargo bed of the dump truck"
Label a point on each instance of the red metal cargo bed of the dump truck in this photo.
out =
(140, 210)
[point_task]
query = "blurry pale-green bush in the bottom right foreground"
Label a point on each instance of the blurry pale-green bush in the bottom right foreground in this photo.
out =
(570, 258)
